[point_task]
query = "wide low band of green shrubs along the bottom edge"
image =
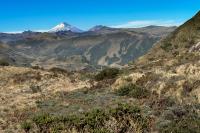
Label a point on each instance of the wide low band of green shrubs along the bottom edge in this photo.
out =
(119, 119)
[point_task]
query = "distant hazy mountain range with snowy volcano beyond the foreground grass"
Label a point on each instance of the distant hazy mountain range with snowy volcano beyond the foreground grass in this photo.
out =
(69, 47)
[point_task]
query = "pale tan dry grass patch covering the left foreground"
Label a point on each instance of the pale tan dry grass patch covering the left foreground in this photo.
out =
(22, 87)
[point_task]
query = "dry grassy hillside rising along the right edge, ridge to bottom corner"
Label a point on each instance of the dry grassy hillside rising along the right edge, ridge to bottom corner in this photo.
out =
(171, 69)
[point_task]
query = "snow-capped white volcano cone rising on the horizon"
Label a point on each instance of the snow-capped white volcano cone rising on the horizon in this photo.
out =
(65, 27)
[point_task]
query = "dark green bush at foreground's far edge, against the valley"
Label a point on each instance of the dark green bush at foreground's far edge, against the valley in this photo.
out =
(108, 73)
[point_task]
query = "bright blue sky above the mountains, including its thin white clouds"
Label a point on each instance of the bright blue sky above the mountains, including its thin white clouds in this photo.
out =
(20, 15)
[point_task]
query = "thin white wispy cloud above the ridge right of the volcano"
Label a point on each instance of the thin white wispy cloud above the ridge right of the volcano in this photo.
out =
(143, 23)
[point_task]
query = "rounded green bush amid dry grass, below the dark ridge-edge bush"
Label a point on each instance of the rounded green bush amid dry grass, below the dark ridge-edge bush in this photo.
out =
(132, 90)
